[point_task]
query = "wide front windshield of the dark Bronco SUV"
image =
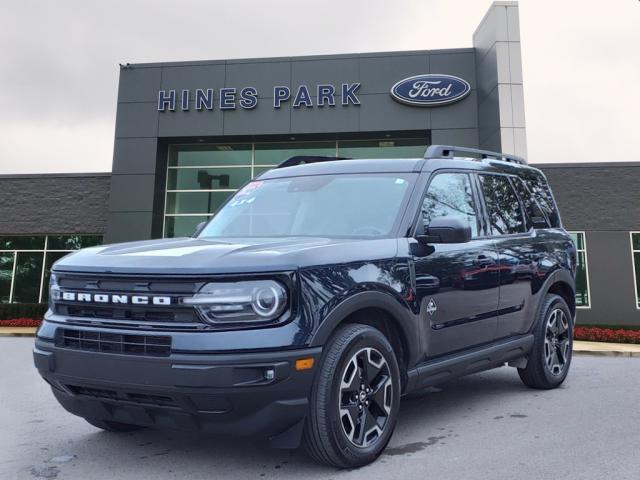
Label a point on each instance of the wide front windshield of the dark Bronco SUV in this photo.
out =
(353, 205)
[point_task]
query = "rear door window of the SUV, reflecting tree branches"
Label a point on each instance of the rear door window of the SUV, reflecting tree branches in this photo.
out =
(503, 208)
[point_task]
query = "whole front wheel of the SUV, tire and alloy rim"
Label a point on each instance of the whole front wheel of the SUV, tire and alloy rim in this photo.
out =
(334, 433)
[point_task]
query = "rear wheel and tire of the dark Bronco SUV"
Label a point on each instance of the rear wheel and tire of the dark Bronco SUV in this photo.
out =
(550, 357)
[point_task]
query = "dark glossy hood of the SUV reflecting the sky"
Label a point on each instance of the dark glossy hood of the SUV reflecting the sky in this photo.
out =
(197, 256)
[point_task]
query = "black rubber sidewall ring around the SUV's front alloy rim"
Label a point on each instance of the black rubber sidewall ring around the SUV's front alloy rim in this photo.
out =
(353, 454)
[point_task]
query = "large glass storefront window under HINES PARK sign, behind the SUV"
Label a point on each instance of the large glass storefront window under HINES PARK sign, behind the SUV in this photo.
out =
(201, 177)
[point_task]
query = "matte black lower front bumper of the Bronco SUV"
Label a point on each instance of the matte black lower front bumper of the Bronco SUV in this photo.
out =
(230, 393)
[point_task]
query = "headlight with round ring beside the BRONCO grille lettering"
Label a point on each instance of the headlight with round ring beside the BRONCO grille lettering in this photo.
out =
(251, 301)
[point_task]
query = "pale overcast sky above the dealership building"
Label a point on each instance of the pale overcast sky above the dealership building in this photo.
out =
(59, 63)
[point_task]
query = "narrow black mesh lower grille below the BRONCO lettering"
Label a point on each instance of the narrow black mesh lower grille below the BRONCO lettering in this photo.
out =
(105, 342)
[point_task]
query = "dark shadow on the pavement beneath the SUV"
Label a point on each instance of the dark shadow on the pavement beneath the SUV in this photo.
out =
(423, 415)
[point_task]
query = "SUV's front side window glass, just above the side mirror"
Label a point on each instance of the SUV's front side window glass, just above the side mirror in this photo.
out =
(450, 195)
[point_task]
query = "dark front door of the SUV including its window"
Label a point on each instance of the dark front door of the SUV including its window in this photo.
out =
(456, 284)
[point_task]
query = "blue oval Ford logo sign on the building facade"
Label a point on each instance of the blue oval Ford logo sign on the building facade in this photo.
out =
(430, 90)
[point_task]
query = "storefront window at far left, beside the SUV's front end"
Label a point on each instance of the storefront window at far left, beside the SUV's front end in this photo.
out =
(25, 263)
